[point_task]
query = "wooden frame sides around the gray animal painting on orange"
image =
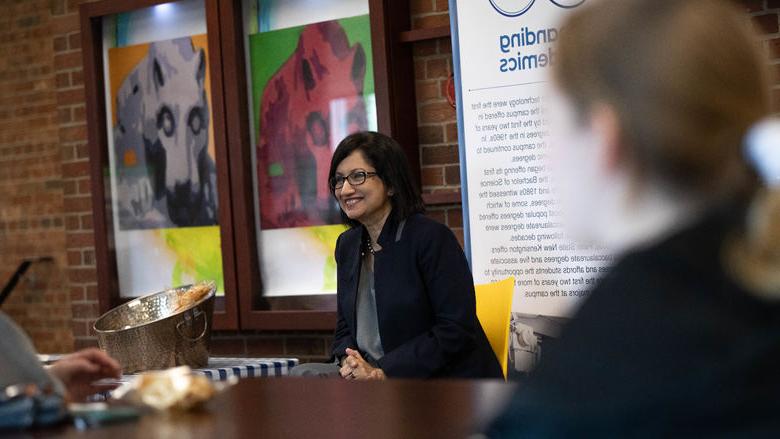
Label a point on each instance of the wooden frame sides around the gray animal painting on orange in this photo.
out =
(91, 15)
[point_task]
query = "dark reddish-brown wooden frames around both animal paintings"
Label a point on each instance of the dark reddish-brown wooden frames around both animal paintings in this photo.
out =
(396, 116)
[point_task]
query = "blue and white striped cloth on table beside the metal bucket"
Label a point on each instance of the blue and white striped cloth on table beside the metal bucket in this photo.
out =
(221, 368)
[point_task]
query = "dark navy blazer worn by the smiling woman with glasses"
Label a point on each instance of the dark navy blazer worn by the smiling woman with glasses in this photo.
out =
(425, 302)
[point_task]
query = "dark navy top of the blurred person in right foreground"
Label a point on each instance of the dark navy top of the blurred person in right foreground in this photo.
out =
(667, 344)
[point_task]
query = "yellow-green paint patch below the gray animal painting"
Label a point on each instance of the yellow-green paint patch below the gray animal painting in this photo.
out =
(198, 253)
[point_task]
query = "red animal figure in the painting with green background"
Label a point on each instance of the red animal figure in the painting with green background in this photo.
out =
(313, 100)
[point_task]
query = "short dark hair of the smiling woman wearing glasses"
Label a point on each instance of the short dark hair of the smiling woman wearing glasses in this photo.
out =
(389, 160)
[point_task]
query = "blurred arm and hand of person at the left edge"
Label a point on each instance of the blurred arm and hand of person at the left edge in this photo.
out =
(73, 376)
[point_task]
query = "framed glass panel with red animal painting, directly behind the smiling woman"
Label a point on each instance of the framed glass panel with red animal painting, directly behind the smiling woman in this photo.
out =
(310, 73)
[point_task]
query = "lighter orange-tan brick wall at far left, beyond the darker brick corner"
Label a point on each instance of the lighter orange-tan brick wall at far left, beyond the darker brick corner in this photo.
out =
(31, 186)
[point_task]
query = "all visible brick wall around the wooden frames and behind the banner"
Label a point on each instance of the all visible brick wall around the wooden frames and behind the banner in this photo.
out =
(45, 207)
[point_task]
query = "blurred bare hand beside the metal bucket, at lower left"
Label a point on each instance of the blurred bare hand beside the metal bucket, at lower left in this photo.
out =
(79, 370)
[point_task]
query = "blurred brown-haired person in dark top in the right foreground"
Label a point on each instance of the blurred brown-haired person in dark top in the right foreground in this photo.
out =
(654, 100)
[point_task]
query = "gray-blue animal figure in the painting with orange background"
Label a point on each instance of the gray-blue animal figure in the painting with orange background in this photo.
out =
(165, 175)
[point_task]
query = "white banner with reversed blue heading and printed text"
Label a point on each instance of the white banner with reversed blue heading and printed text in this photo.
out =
(503, 50)
